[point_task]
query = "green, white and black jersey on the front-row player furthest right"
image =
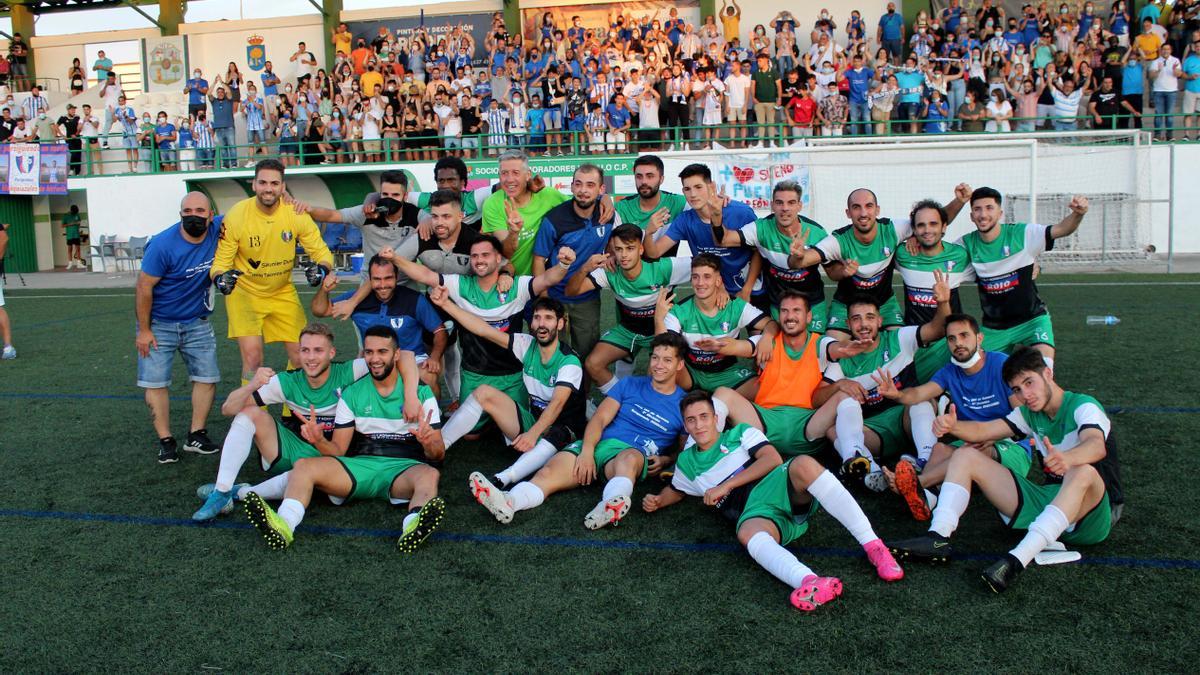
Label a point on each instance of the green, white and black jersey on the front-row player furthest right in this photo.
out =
(1077, 414)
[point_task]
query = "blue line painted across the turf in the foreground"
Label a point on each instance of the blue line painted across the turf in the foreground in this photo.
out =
(563, 542)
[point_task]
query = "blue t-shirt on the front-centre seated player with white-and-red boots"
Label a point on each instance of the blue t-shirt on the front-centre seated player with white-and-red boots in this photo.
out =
(647, 421)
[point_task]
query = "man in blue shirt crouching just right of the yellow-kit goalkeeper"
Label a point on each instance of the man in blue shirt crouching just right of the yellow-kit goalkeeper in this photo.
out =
(409, 314)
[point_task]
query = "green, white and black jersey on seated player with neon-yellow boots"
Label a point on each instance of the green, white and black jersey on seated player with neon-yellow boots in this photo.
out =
(379, 421)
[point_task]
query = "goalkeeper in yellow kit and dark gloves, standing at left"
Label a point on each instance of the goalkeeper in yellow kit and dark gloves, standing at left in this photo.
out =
(254, 266)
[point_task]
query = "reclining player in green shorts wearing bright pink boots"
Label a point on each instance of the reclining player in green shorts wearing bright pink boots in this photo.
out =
(741, 474)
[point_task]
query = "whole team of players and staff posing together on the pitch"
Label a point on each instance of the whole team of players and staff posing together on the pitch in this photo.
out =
(650, 349)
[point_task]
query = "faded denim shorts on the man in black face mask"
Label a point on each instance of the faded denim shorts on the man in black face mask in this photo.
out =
(195, 341)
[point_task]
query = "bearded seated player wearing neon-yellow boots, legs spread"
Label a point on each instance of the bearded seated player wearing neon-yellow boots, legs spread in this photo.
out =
(392, 459)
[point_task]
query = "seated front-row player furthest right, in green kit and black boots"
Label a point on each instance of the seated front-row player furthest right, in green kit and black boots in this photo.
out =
(1078, 503)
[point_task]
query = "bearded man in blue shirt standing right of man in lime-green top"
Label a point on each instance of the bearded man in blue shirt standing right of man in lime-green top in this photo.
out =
(577, 225)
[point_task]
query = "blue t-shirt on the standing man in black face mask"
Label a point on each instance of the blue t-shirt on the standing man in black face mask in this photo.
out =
(184, 292)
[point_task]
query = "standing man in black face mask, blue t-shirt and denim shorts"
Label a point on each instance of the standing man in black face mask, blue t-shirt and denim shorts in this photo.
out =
(173, 303)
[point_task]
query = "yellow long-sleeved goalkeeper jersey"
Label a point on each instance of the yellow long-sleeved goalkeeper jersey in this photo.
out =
(263, 247)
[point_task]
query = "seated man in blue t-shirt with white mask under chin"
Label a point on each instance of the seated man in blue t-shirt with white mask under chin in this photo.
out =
(977, 390)
